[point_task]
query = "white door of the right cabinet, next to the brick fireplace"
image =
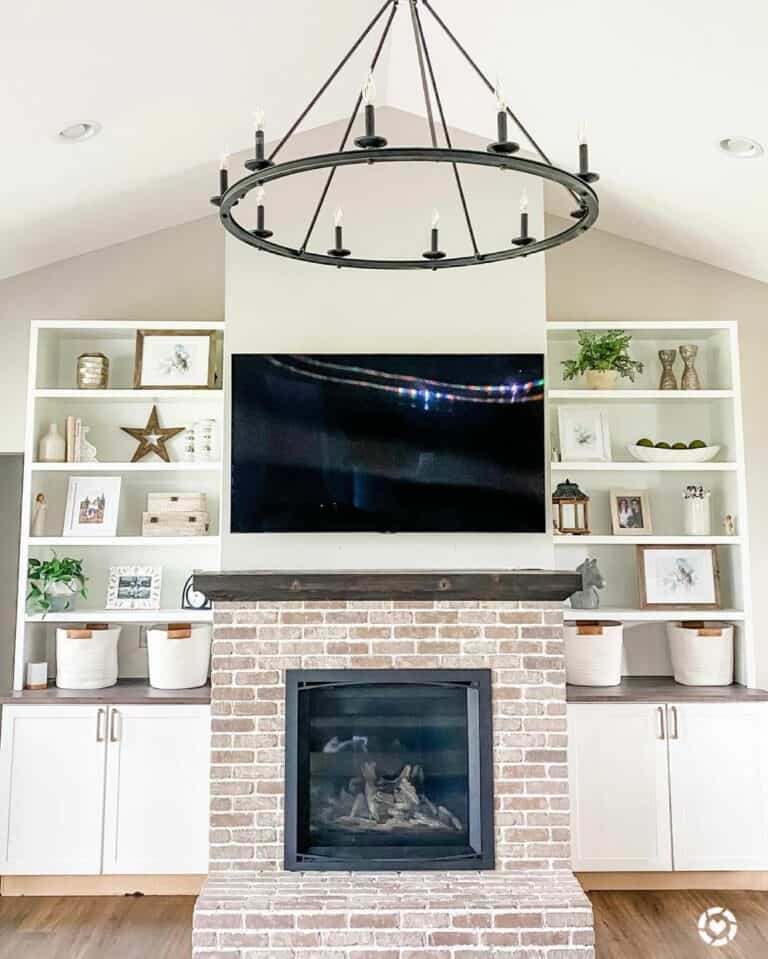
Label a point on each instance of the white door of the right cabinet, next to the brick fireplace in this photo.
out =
(619, 786)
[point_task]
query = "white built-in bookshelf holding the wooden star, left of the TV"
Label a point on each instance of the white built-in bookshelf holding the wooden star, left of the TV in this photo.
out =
(52, 396)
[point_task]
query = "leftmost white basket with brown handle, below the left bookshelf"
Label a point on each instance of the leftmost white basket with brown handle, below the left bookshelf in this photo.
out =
(86, 658)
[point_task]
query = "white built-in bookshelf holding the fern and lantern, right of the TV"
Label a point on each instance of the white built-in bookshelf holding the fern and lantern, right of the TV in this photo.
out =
(640, 409)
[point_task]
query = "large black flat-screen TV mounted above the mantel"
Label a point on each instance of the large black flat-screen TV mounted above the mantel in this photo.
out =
(427, 443)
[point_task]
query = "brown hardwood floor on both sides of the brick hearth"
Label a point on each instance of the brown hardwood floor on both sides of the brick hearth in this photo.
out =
(629, 925)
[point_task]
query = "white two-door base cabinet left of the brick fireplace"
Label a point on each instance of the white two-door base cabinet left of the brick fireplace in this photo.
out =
(104, 789)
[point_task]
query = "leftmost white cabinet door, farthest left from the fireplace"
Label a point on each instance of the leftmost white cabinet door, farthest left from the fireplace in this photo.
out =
(52, 763)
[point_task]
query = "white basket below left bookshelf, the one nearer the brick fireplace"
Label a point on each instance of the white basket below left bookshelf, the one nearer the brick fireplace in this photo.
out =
(179, 662)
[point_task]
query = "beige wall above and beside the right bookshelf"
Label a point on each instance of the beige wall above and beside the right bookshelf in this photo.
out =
(604, 277)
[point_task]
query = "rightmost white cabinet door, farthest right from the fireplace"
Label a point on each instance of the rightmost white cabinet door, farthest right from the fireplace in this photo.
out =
(718, 755)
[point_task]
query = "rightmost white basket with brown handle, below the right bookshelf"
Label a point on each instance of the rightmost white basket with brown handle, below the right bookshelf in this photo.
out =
(702, 655)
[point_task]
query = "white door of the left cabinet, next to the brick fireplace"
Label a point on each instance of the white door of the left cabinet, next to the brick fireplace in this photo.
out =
(156, 810)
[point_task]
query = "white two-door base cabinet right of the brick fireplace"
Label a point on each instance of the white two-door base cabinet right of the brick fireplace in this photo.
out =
(664, 786)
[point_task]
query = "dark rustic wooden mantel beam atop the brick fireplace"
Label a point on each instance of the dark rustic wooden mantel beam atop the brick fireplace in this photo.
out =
(516, 585)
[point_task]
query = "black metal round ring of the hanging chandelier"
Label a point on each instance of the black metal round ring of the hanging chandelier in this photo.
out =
(586, 197)
